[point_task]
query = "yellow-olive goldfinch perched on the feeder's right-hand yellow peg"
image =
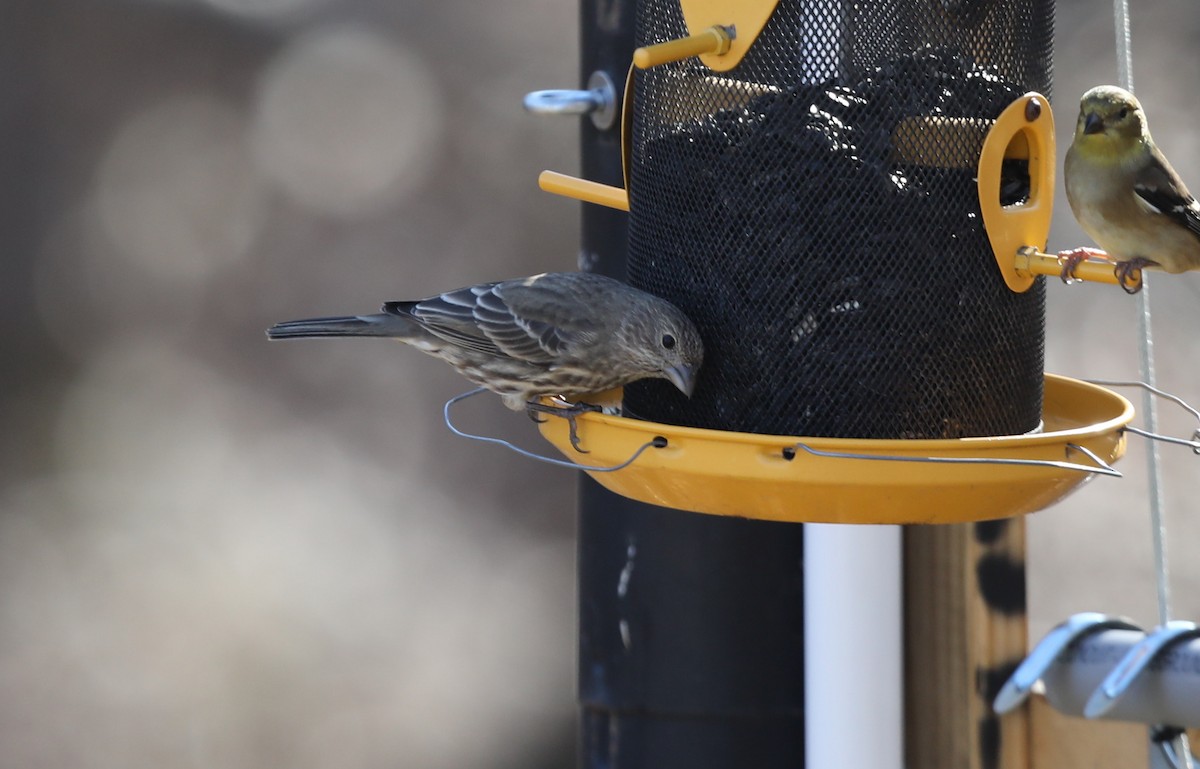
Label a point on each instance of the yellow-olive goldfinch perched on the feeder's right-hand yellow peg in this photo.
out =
(1125, 194)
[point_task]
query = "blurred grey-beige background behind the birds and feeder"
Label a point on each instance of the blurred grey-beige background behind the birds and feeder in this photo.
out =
(217, 552)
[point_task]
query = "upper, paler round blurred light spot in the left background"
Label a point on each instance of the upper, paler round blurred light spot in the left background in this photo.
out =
(346, 122)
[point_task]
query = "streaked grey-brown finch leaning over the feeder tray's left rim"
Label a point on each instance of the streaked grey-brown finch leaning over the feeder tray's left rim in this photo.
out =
(562, 334)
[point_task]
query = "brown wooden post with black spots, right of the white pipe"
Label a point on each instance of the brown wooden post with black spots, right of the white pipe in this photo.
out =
(965, 633)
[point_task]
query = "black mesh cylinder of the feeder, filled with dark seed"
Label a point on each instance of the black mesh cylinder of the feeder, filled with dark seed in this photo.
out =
(815, 212)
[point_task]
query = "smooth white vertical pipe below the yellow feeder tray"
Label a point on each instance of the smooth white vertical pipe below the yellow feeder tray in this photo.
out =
(854, 668)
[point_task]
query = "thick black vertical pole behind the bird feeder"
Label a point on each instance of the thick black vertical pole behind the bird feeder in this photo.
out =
(692, 640)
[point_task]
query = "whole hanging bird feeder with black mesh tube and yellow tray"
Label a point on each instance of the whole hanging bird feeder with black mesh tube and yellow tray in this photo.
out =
(831, 193)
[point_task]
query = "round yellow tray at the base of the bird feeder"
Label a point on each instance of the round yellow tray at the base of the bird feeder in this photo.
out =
(883, 482)
